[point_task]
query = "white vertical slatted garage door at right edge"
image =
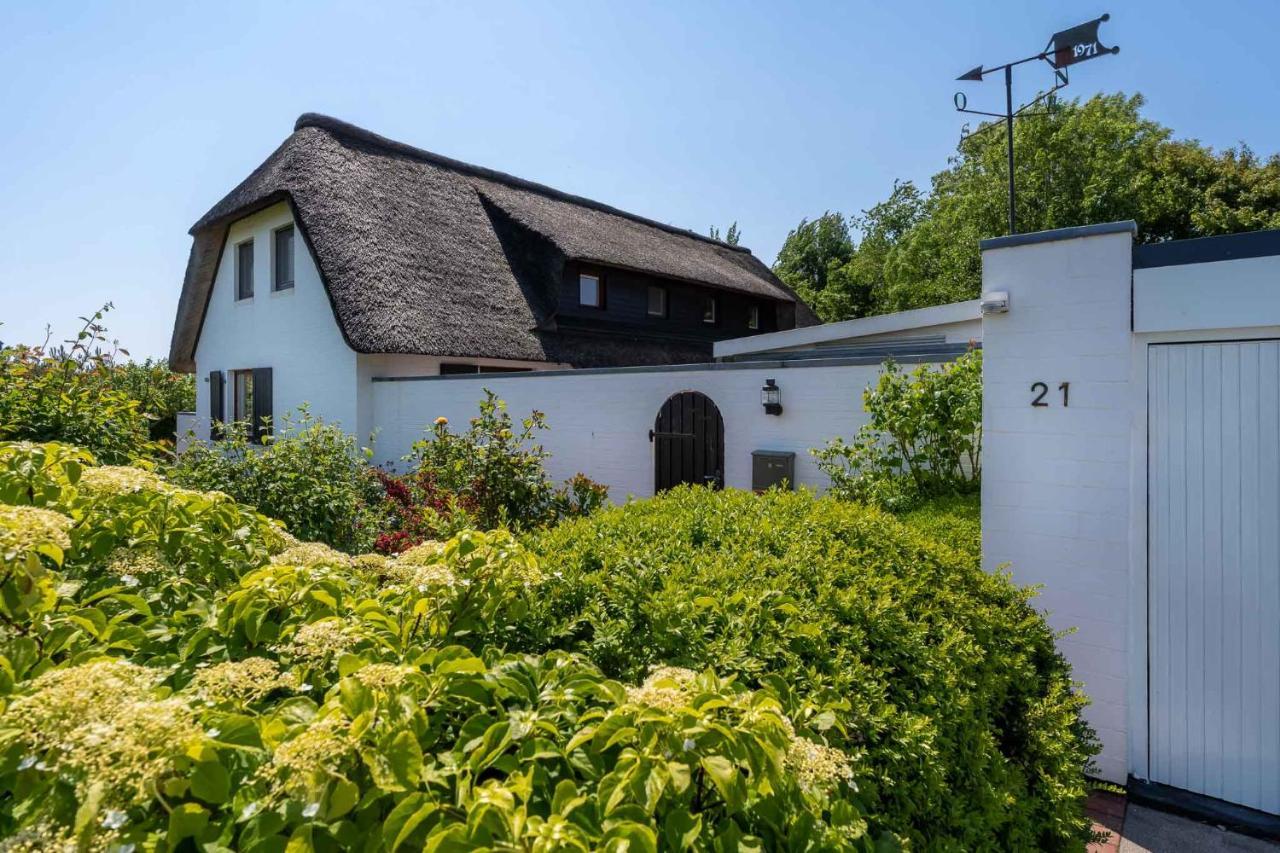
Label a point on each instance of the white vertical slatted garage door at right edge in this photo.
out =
(1214, 571)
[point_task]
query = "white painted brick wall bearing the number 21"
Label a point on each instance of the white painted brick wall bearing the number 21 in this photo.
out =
(1055, 492)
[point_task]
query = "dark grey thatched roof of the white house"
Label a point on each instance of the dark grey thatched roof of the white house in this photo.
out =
(422, 254)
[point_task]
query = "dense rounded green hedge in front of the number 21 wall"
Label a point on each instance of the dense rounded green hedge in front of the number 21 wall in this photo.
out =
(943, 681)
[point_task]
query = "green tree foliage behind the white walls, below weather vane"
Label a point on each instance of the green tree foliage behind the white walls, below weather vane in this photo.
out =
(1082, 163)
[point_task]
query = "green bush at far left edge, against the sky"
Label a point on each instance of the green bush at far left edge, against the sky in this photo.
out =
(66, 394)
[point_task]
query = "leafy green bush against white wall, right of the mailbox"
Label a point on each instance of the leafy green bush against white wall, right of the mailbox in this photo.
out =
(924, 440)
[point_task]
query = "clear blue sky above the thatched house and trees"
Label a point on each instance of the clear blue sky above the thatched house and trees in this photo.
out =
(125, 122)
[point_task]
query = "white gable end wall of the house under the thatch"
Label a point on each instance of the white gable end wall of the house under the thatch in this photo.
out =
(294, 332)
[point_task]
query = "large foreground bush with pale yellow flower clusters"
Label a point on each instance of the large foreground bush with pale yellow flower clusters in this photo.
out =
(189, 677)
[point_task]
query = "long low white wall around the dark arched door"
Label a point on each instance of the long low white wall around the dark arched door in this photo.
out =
(601, 421)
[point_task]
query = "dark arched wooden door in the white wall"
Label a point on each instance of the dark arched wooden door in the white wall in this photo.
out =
(689, 443)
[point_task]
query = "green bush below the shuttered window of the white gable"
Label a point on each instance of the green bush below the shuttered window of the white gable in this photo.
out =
(312, 476)
